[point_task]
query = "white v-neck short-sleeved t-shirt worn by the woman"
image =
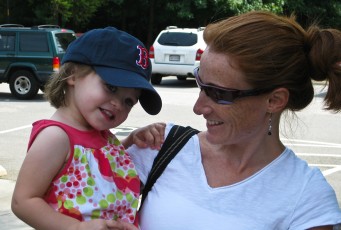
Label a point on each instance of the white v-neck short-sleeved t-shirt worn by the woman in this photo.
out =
(286, 194)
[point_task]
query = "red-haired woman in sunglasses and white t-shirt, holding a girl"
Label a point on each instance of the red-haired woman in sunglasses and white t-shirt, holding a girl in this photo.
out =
(238, 174)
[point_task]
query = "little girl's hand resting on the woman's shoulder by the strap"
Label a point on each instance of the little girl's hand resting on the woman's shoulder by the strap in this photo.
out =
(151, 136)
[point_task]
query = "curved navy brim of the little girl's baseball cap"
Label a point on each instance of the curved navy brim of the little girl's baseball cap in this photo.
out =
(150, 100)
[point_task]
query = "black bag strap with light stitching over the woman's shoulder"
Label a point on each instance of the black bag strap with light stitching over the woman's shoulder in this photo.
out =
(176, 139)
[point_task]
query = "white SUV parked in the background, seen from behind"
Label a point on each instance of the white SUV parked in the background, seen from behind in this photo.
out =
(176, 52)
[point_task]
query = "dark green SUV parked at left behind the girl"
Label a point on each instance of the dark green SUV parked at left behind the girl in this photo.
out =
(29, 55)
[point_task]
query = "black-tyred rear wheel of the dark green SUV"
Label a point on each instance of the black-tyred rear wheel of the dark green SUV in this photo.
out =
(23, 85)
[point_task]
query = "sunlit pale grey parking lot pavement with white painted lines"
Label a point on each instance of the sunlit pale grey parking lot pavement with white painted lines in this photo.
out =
(320, 146)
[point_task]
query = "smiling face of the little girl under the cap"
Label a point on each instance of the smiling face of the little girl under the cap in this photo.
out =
(97, 105)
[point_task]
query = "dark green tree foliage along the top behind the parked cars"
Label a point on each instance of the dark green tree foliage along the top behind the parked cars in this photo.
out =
(145, 18)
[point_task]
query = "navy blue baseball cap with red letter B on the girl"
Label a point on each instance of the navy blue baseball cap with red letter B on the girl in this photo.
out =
(119, 59)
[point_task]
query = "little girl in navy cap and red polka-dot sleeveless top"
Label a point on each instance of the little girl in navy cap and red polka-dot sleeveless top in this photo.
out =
(76, 174)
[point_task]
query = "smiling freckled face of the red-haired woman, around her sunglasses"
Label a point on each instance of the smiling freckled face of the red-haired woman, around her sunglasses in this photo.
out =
(243, 120)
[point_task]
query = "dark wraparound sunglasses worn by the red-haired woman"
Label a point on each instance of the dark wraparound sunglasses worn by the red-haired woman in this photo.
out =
(226, 96)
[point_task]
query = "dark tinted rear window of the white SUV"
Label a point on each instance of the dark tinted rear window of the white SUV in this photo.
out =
(178, 39)
